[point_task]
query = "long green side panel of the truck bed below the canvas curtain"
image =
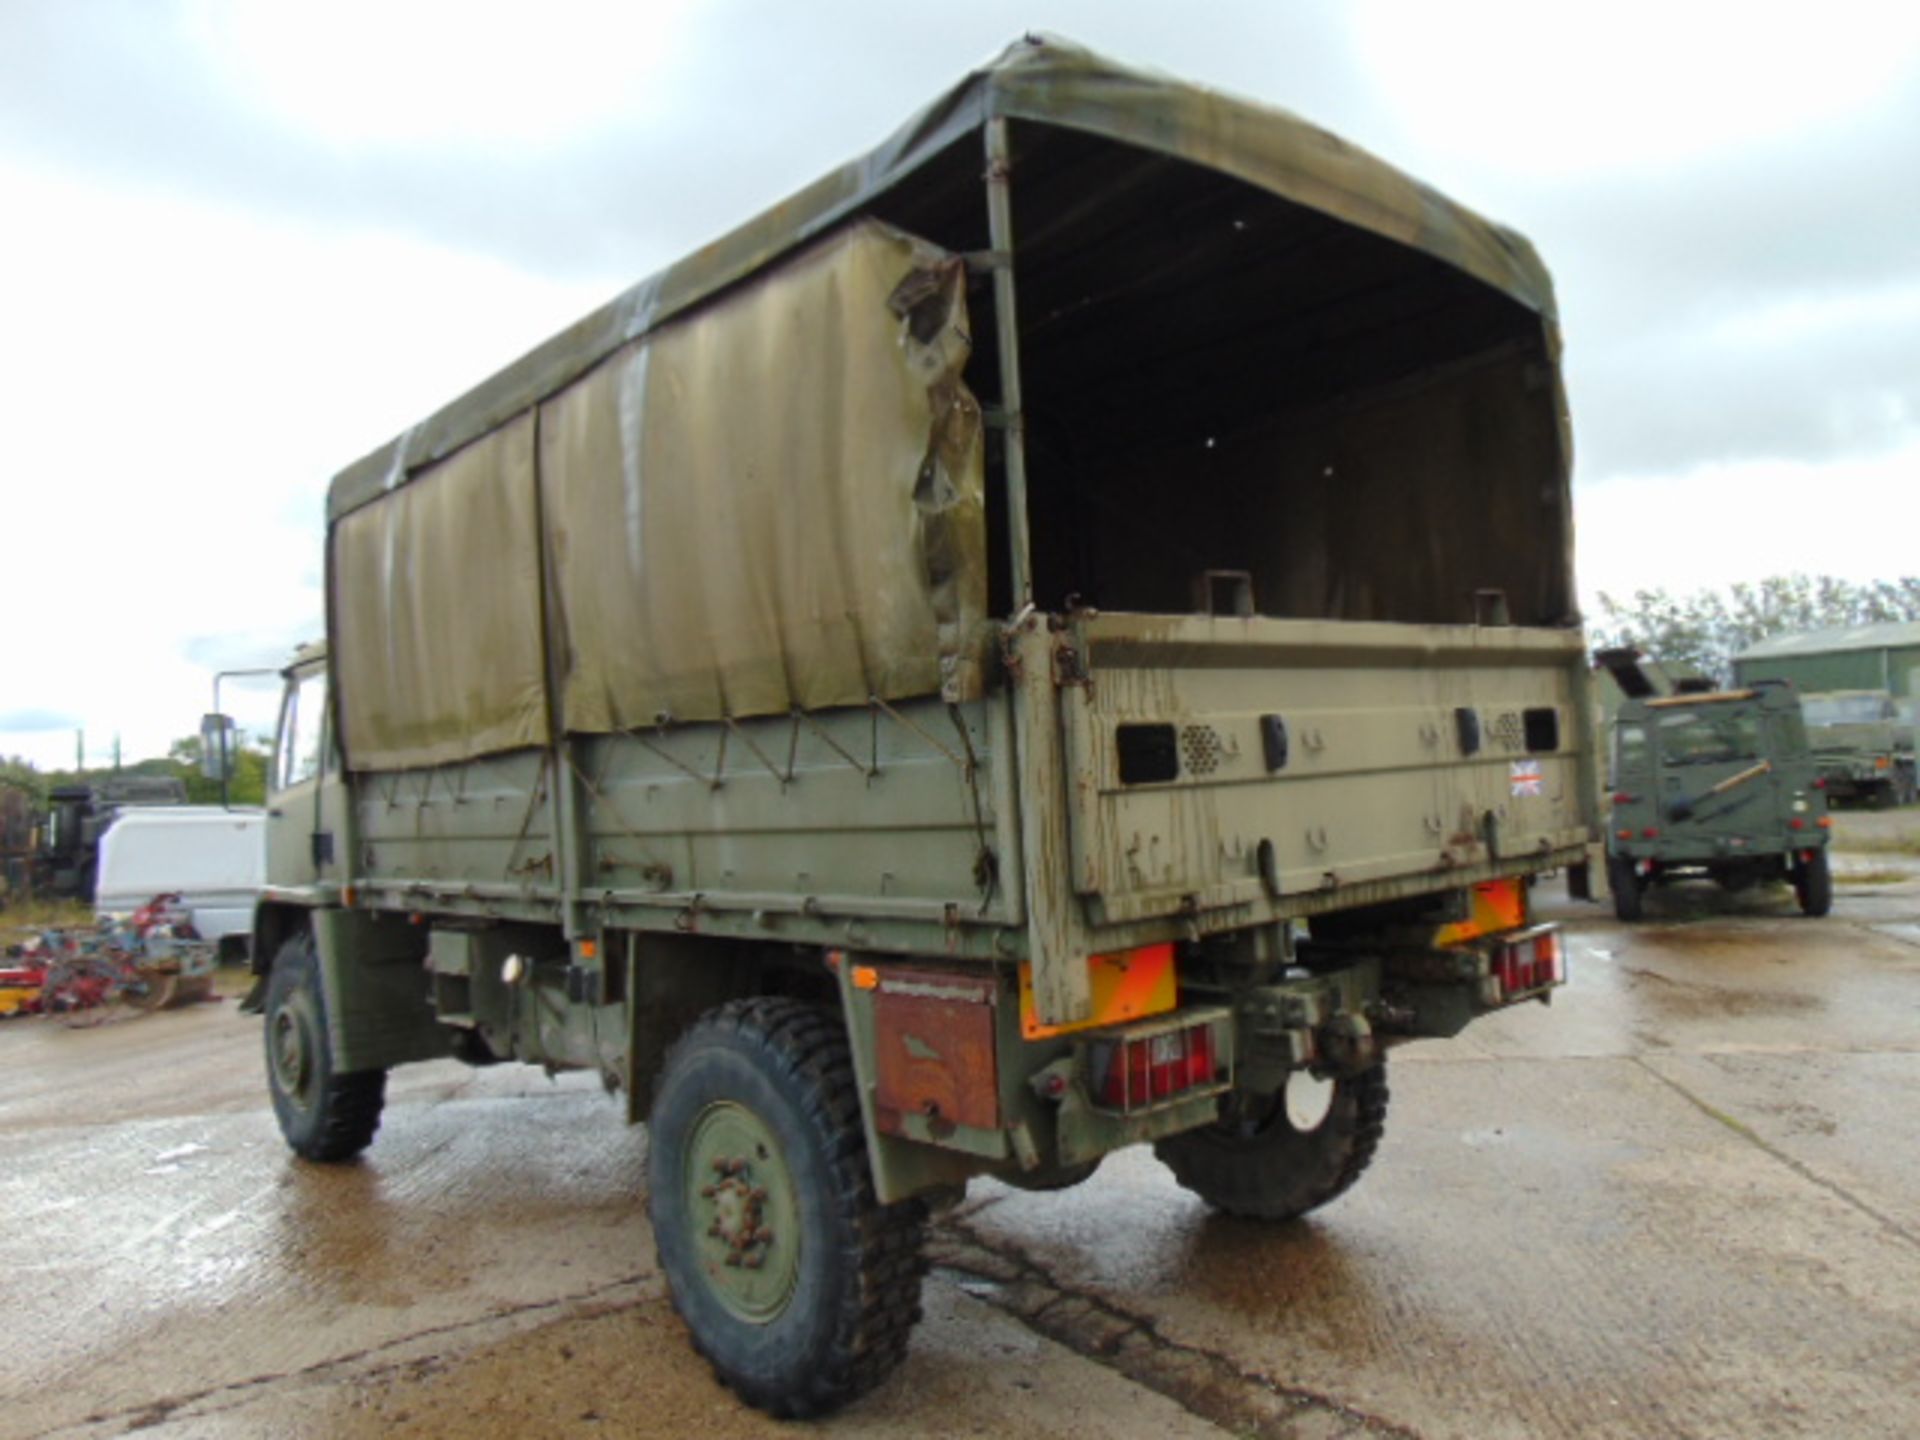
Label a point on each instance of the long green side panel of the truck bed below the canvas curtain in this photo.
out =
(792, 825)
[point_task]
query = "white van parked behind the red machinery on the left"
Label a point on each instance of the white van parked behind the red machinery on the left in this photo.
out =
(214, 857)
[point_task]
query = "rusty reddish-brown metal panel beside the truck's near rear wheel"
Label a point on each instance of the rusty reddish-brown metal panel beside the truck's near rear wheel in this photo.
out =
(934, 1038)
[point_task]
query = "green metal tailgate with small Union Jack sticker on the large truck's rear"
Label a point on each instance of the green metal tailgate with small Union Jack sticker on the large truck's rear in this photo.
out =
(1276, 763)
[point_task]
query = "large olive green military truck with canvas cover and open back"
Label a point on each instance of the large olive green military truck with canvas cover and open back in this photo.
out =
(1057, 636)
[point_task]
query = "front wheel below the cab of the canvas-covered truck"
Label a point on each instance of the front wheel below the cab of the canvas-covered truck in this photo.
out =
(322, 1115)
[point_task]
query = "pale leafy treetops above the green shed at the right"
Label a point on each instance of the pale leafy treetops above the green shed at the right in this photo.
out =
(1710, 629)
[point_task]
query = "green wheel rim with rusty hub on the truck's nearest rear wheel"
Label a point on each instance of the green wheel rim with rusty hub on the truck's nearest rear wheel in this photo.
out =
(742, 1209)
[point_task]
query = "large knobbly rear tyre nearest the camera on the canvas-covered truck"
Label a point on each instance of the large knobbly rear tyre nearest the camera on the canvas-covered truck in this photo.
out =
(857, 1264)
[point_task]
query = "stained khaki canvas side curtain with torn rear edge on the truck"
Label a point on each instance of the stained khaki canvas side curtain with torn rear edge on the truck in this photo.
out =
(775, 504)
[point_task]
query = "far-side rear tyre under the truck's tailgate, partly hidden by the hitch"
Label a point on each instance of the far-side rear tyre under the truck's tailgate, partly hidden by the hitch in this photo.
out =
(1270, 1170)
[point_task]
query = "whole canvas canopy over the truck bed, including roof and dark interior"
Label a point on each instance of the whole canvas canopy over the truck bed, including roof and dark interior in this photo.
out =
(754, 483)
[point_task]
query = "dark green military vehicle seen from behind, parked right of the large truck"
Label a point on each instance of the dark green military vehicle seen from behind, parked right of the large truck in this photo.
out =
(1714, 784)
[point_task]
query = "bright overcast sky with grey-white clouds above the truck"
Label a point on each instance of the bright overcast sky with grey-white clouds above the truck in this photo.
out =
(243, 245)
